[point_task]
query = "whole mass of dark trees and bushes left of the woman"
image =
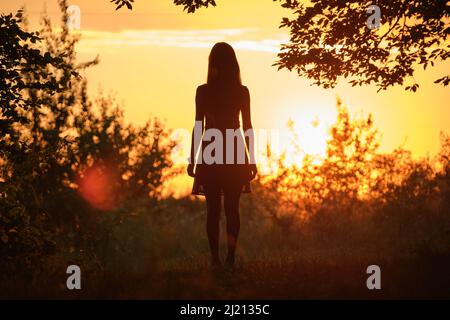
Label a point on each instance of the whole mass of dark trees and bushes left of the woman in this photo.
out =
(57, 142)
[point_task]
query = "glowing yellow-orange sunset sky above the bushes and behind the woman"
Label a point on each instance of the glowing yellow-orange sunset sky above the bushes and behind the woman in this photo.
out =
(153, 58)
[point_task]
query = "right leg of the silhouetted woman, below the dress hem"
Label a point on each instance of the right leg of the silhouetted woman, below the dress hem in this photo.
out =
(231, 202)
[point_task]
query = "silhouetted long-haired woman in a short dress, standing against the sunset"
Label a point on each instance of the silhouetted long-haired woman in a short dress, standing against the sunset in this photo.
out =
(224, 161)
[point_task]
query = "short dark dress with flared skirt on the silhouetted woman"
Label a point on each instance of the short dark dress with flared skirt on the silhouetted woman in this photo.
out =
(219, 110)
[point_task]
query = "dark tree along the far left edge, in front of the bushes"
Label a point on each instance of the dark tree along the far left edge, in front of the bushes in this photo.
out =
(23, 68)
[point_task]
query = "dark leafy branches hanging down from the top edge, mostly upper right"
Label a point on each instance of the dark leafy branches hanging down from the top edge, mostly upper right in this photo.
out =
(330, 40)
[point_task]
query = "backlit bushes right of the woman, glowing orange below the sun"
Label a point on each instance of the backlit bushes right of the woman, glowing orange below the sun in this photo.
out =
(360, 199)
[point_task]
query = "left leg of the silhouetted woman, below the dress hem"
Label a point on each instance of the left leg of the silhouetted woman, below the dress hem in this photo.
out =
(213, 206)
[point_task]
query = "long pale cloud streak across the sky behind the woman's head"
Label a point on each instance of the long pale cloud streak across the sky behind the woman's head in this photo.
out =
(244, 39)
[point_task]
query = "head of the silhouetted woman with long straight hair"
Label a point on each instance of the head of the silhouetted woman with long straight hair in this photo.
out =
(223, 65)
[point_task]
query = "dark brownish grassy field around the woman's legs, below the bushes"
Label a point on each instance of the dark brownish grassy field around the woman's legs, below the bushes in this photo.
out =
(166, 257)
